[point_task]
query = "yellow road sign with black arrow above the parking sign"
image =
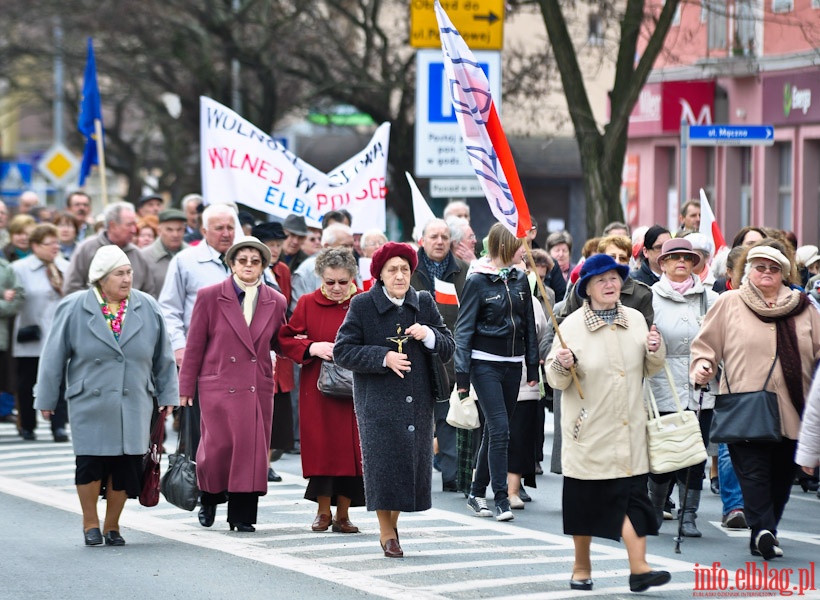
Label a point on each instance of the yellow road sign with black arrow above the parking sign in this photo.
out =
(480, 23)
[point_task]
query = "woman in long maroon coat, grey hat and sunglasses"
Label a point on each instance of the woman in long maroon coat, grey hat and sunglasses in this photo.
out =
(227, 356)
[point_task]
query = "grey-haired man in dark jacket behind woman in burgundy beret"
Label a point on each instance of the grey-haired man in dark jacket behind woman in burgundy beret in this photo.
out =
(439, 268)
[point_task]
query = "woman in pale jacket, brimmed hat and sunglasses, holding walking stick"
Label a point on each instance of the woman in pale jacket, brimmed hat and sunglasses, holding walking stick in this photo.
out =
(679, 302)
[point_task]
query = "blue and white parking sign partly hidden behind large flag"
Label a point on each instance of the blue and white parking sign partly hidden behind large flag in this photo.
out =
(440, 148)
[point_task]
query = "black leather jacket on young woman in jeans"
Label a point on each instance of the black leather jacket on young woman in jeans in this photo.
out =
(496, 317)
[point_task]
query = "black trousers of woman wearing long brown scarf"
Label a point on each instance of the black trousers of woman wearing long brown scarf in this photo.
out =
(765, 471)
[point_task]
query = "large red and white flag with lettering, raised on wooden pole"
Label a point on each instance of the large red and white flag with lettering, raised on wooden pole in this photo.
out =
(480, 126)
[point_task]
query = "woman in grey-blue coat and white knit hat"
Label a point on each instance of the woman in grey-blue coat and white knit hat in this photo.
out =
(109, 346)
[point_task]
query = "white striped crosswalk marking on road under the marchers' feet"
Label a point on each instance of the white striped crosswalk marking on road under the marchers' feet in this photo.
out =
(481, 557)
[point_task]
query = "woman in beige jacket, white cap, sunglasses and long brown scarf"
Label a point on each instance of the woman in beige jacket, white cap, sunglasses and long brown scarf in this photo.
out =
(766, 325)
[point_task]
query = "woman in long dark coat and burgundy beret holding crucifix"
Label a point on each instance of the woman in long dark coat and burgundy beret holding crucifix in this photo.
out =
(386, 340)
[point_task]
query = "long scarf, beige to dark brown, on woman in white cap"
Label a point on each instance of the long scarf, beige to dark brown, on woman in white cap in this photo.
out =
(783, 318)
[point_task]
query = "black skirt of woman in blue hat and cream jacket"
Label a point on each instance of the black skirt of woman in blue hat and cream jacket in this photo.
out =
(598, 507)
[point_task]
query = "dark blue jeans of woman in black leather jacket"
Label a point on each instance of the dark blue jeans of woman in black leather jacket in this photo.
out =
(496, 385)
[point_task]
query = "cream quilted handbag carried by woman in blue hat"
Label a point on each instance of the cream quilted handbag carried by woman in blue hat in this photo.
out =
(674, 440)
